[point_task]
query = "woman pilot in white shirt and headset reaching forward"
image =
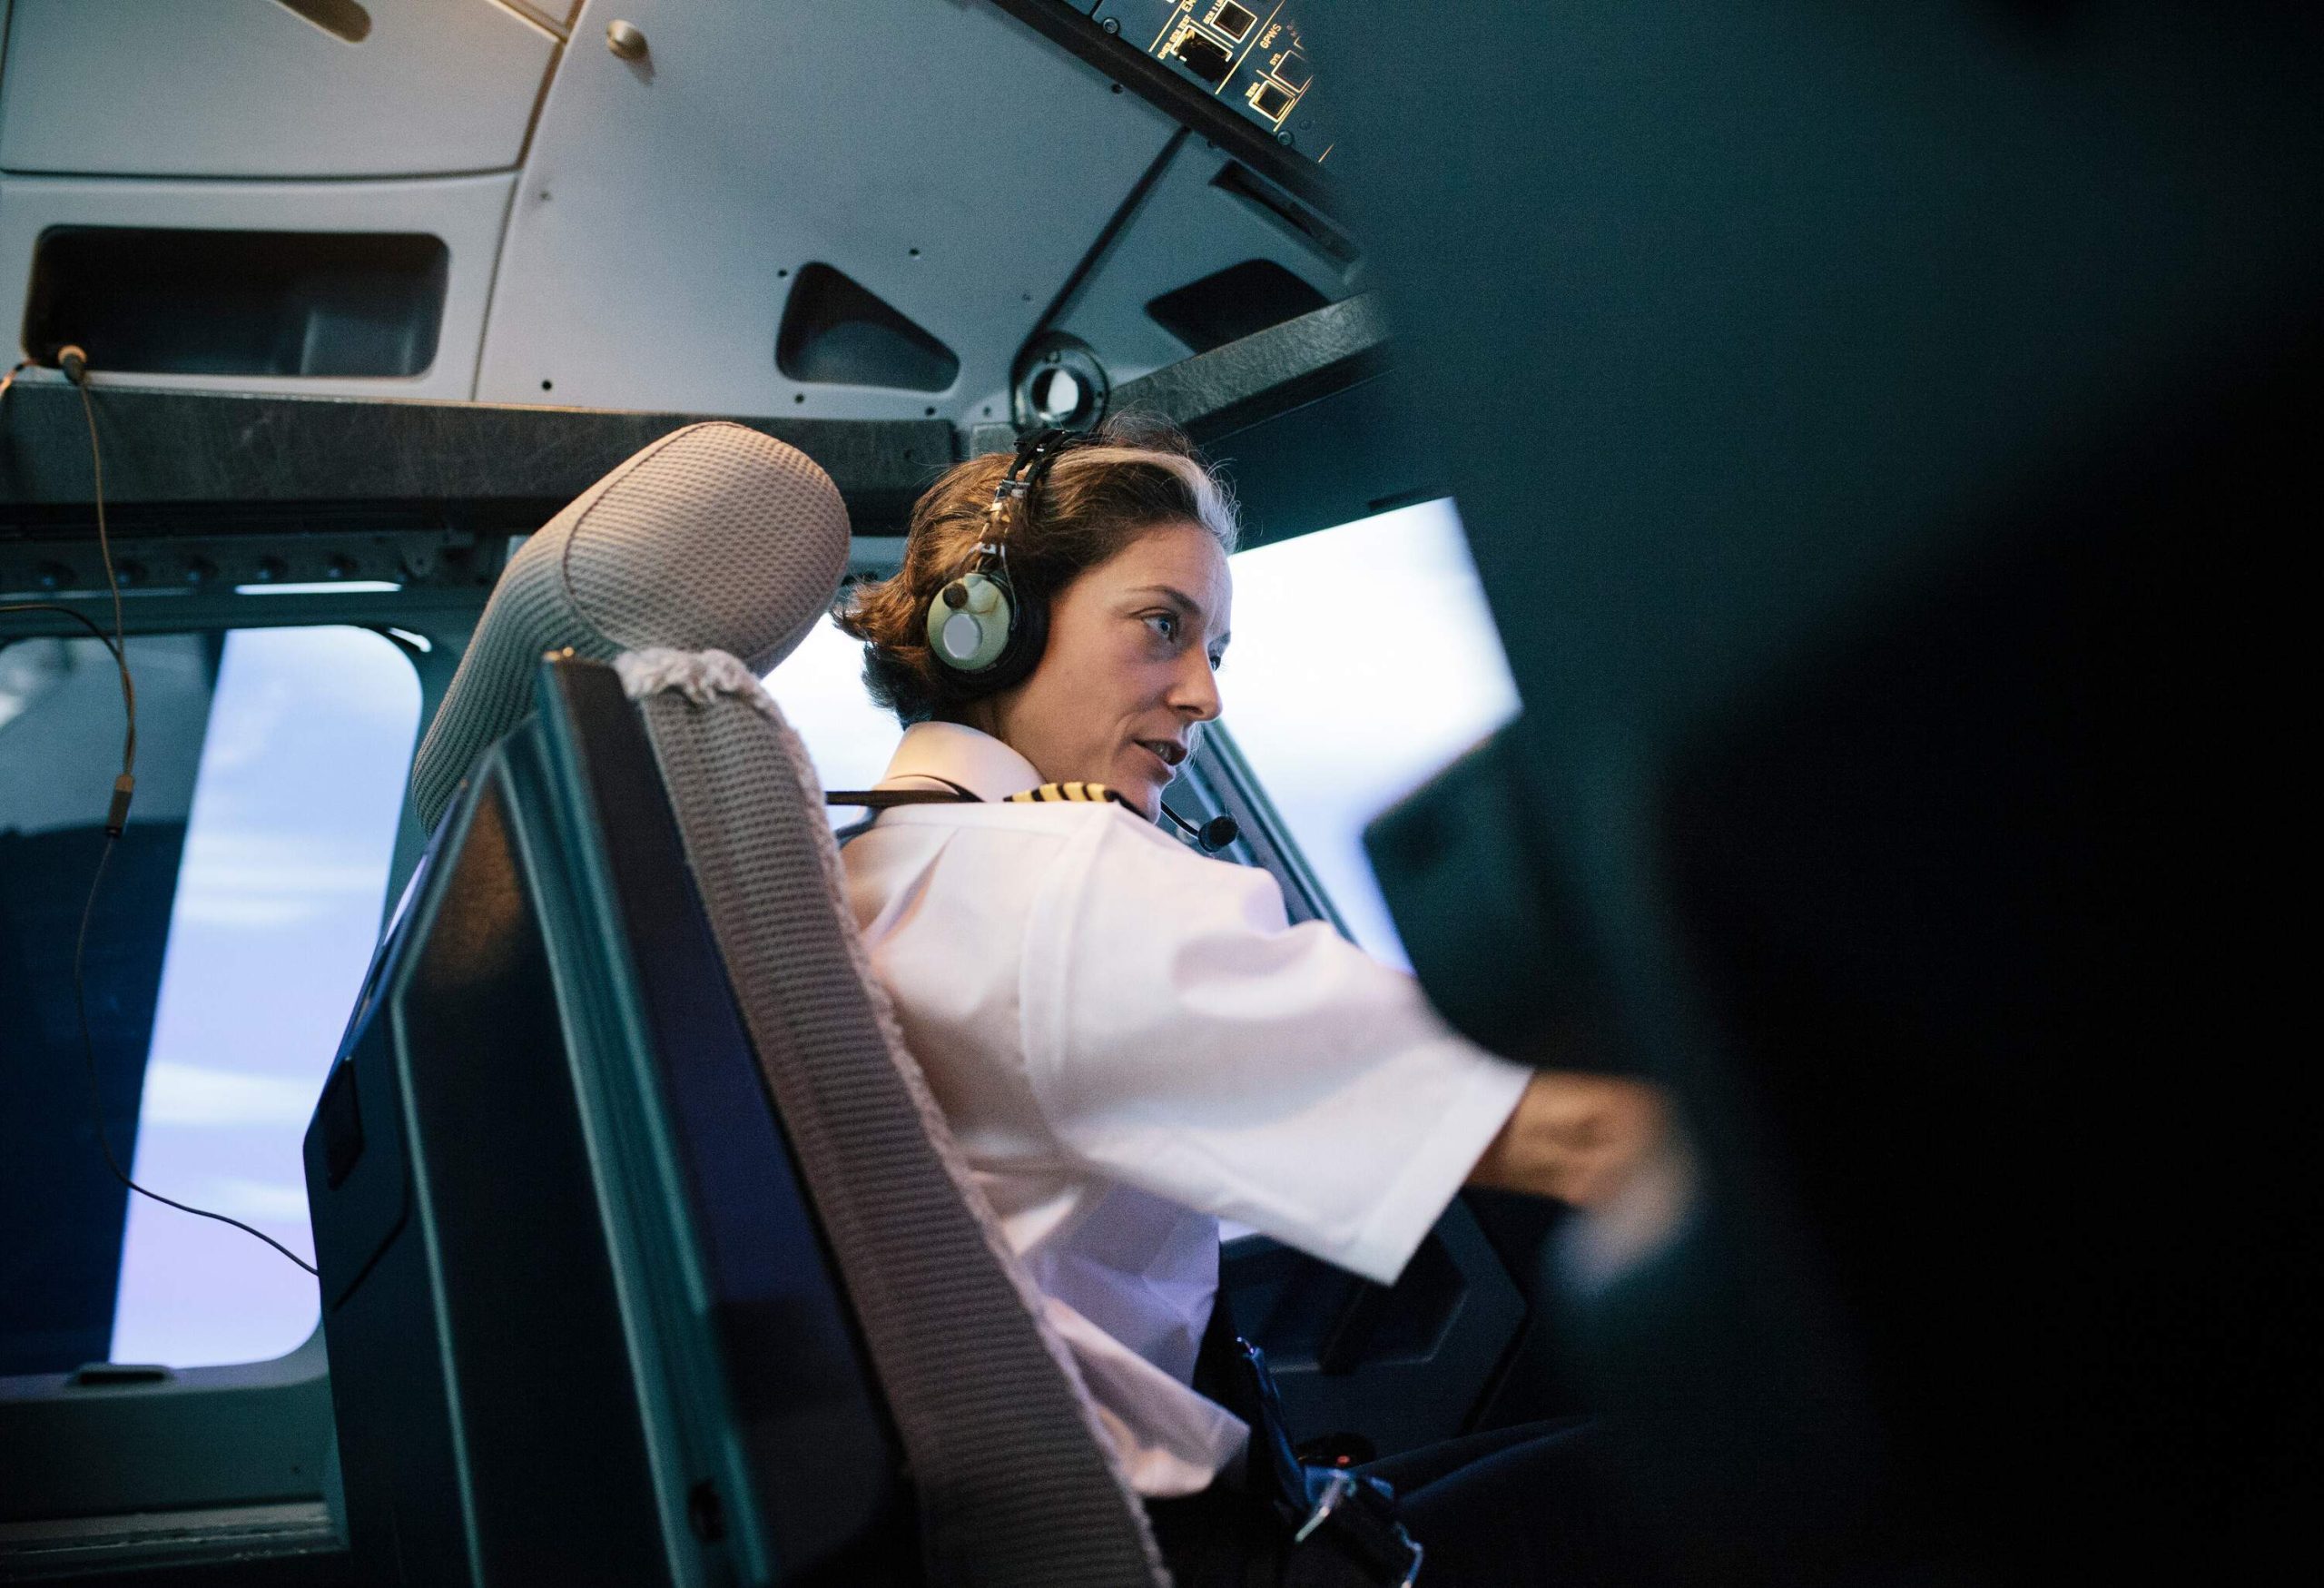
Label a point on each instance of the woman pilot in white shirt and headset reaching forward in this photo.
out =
(1126, 1036)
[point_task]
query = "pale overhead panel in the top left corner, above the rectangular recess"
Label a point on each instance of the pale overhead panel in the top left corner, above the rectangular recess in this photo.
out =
(268, 87)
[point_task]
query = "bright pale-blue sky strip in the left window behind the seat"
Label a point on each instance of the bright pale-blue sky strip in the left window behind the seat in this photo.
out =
(271, 931)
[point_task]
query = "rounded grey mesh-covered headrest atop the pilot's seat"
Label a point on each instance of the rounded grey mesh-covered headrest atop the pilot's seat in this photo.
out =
(715, 538)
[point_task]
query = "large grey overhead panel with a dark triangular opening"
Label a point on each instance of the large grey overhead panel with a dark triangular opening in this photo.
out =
(905, 187)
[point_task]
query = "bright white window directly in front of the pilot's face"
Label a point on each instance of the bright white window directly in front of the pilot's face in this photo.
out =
(1363, 661)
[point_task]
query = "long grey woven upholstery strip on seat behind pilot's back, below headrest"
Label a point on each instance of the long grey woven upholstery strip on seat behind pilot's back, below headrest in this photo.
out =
(1017, 1480)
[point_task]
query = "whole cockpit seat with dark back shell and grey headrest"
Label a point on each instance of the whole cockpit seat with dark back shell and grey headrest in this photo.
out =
(645, 1250)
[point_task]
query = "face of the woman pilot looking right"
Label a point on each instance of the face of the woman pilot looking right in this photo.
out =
(1128, 671)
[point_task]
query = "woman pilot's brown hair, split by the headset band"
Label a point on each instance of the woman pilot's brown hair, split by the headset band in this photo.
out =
(1098, 499)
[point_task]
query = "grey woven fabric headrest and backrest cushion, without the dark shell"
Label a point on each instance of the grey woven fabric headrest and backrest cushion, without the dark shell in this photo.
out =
(698, 564)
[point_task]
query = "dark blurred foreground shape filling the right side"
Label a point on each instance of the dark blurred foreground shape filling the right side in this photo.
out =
(1884, 438)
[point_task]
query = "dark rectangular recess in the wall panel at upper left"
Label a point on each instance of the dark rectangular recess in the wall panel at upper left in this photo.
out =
(238, 303)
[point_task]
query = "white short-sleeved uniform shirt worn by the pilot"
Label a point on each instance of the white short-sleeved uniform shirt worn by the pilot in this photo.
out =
(1133, 1043)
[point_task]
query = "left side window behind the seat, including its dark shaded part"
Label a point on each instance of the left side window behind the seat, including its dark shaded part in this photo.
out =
(229, 940)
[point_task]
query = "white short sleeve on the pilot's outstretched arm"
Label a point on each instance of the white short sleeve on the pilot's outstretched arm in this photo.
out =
(1184, 1038)
